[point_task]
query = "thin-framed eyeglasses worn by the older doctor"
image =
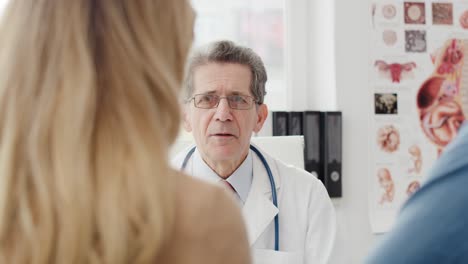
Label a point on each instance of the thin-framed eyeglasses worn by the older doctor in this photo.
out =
(236, 101)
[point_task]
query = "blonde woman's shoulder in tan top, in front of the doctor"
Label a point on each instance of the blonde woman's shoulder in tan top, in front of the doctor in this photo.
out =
(209, 218)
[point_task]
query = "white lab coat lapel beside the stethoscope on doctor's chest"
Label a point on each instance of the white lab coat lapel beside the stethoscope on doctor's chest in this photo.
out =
(259, 211)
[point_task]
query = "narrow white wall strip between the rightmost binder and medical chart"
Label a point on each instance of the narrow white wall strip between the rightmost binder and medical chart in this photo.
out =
(352, 35)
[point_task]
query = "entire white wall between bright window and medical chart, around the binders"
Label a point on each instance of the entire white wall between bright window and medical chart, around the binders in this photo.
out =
(309, 46)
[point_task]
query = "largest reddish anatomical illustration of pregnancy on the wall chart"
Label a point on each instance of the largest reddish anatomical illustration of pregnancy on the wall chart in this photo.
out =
(438, 98)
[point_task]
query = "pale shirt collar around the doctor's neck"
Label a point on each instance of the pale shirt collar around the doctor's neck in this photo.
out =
(240, 179)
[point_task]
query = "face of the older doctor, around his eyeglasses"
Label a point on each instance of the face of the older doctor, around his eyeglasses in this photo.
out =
(223, 134)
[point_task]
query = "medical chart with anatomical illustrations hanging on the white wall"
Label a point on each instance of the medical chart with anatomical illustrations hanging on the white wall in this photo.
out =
(416, 68)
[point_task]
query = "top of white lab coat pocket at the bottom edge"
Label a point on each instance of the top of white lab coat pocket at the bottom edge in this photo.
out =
(268, 256)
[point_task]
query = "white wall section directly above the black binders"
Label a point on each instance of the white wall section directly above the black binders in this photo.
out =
(309, 62)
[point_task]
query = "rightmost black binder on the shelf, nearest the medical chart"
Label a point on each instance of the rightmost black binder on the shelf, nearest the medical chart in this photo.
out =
(332, 152)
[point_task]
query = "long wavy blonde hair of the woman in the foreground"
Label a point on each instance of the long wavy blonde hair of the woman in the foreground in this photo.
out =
(88, 109)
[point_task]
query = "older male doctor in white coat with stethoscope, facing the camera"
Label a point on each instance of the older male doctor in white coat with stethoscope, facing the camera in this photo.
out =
(289, 218)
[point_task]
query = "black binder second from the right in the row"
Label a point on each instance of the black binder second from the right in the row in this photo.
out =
(313, 138)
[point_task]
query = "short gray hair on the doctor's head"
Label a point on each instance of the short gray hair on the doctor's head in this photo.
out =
(225, 51)
